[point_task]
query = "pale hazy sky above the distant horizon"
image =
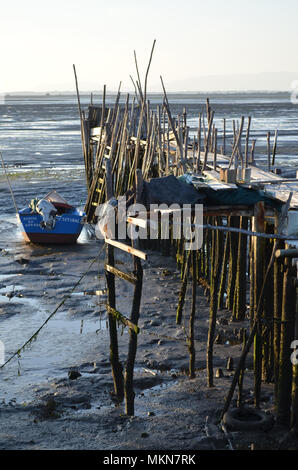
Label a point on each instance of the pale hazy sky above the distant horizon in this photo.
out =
(41, 40)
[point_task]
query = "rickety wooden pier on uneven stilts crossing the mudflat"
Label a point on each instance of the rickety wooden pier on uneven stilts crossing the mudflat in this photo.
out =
(248, 260)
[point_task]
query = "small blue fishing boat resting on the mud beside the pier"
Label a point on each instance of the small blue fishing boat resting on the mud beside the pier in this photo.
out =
(51, 220)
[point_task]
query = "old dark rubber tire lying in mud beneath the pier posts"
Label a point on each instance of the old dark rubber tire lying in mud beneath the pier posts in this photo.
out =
(263, 421)
